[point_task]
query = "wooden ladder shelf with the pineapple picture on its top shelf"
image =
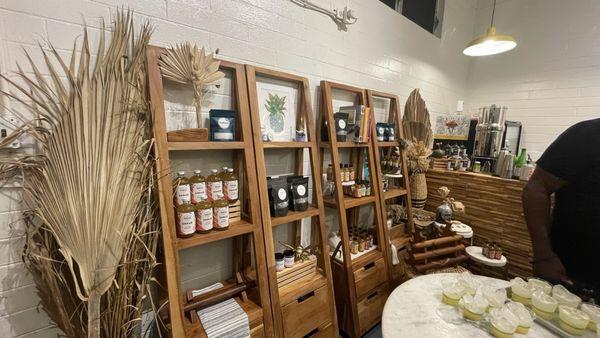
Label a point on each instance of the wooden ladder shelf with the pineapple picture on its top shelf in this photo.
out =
(304, 307)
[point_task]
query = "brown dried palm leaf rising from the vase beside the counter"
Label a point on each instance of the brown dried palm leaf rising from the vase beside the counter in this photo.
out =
(415, 121)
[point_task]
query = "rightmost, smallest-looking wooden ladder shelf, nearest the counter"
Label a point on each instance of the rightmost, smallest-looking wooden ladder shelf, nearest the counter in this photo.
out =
(399, 194)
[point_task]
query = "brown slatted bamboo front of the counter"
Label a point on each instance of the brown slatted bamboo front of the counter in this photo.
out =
(494, 210)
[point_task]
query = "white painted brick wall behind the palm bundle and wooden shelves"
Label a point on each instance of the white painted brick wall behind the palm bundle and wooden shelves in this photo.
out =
(383, 51)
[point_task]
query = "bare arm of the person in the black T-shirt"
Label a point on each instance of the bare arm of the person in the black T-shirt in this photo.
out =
(536, 205)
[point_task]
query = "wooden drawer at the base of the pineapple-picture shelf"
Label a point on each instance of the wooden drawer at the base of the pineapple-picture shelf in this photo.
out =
(307, 313)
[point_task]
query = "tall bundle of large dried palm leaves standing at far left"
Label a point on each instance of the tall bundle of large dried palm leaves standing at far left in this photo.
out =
(92, 224)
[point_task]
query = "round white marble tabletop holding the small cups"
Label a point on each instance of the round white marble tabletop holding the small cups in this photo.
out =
(415, 309)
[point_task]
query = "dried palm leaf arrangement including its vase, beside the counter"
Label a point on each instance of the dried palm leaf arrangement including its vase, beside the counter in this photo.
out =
(417, 129)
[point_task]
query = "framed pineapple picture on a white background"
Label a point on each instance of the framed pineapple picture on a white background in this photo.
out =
(278, 110)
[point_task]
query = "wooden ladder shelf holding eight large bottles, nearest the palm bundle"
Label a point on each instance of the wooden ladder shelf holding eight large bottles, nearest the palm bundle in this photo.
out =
(246, 233)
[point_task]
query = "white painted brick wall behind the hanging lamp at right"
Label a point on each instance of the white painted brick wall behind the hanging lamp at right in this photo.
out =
(552, 79)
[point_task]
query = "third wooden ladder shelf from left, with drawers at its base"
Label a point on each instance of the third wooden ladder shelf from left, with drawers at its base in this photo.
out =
(360, 284)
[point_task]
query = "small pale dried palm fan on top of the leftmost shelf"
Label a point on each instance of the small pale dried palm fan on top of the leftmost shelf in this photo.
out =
(188, 64)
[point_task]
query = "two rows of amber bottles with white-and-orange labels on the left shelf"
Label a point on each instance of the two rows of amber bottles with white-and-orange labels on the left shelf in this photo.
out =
(202, 204)
